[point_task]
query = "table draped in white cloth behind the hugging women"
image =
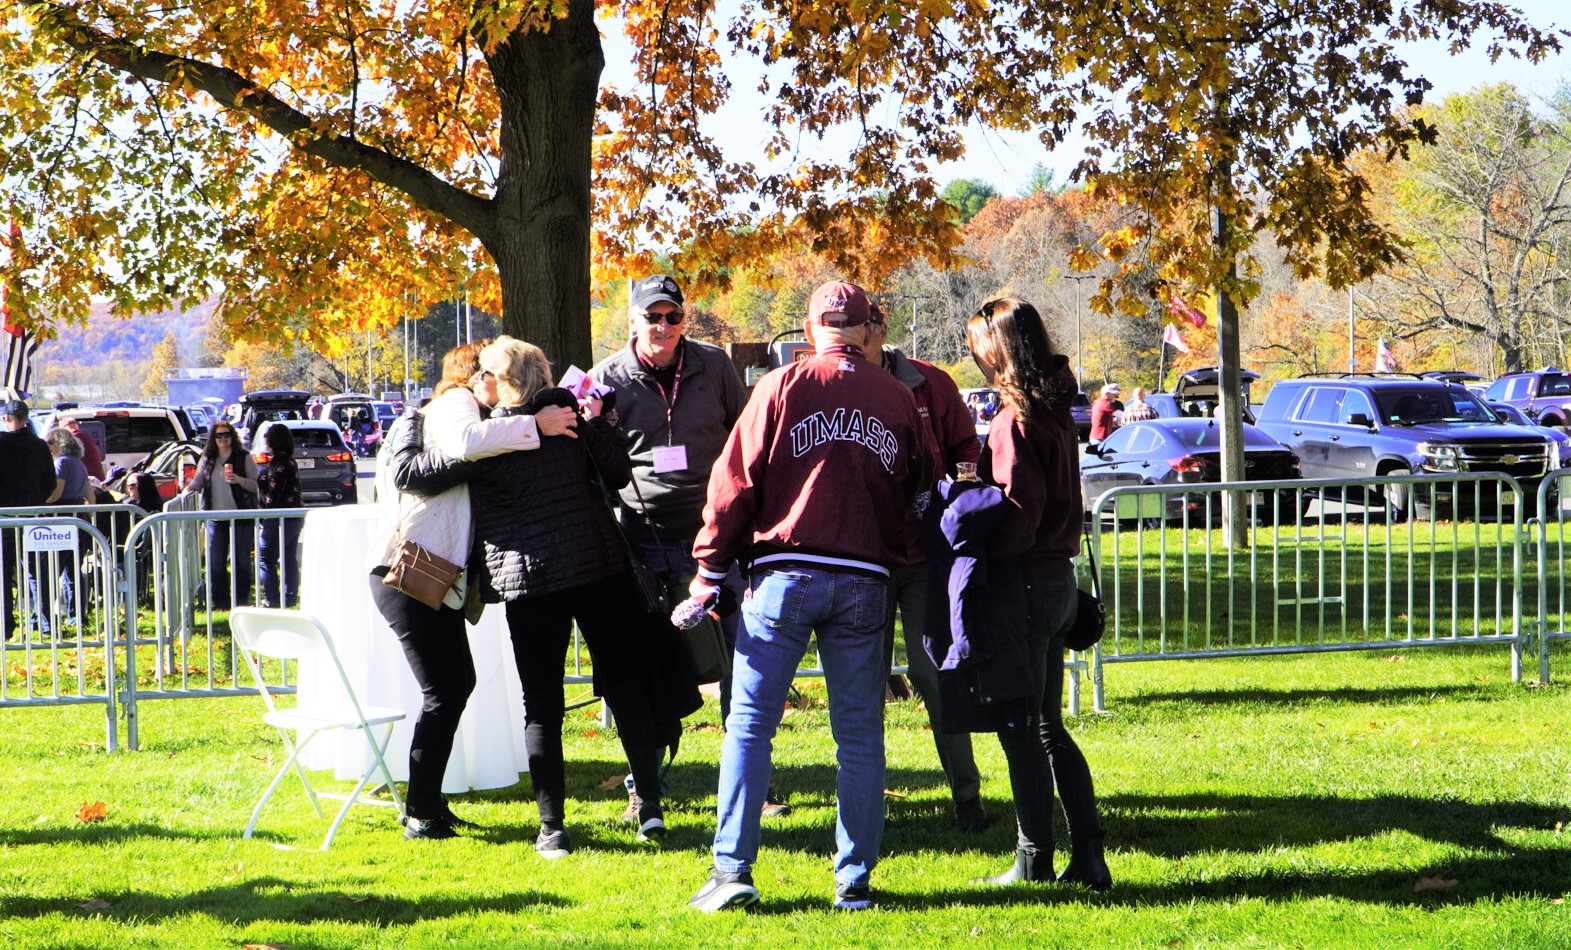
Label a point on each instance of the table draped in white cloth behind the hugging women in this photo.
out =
(335, 588)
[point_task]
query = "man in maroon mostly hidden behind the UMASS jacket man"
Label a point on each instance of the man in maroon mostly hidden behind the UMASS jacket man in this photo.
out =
(953, 439)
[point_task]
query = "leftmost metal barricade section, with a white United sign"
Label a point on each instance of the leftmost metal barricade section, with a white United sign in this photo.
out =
(60, 605)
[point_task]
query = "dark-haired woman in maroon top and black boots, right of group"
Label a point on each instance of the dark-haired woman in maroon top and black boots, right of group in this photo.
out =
(1031, 455)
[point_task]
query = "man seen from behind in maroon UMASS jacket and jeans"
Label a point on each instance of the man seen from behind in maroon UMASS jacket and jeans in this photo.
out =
(813, 492)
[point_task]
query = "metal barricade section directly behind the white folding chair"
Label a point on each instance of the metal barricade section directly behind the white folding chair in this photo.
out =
(200, 565)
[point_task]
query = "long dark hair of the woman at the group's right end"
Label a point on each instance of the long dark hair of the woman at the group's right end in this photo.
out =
(1013, 346)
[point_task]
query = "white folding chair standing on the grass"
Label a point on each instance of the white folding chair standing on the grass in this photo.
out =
(293, 635)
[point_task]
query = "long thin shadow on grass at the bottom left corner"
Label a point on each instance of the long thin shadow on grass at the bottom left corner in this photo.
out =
(280, 901)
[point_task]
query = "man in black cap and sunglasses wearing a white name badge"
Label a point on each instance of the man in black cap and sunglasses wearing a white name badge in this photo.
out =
(678, 401)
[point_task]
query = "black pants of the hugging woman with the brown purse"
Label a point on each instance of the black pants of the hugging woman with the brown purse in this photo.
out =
(438, 649)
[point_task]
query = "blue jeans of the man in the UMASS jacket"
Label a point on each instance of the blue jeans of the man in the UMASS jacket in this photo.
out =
(786, 607)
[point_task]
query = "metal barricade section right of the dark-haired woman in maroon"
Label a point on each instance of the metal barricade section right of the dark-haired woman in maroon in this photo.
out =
(1327, 568)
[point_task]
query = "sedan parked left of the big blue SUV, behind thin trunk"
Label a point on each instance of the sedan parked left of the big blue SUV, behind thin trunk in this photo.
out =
(1185, 451)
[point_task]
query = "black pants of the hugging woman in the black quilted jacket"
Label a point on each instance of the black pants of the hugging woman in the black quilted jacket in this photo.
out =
(541, 630)
